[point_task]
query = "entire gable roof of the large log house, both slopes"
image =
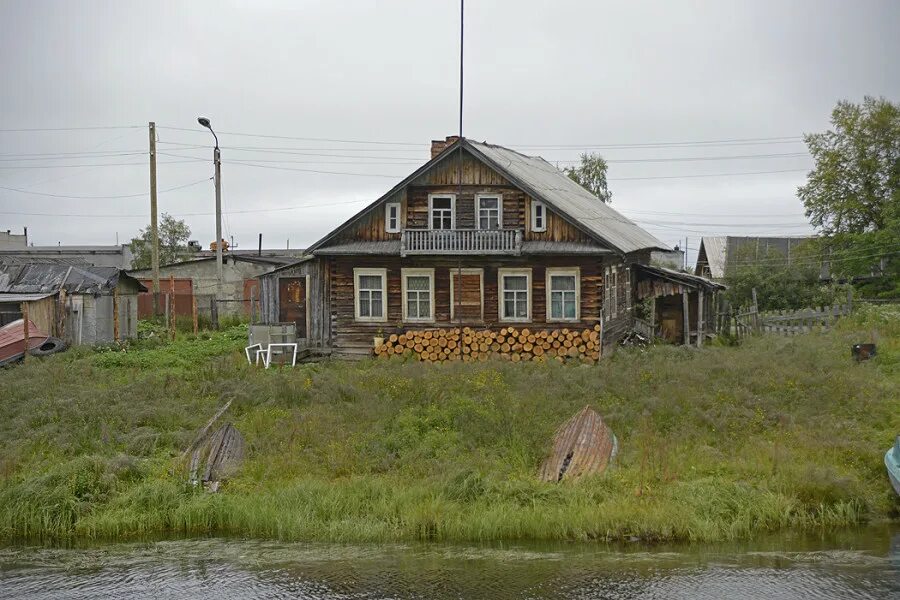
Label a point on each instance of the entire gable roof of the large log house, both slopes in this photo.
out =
(545, 183)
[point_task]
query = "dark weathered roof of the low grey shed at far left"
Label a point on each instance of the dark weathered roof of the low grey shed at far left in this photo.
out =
(47, 278)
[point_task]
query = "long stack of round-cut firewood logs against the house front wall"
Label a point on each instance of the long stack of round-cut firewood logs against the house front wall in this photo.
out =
(509, 343)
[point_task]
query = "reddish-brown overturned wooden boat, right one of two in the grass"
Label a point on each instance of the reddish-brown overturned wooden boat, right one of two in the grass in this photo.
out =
(584, 445)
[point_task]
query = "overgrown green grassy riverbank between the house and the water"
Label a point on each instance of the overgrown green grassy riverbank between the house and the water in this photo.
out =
(717, 443)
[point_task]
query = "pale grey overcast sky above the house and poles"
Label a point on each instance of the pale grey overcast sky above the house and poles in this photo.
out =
(548, 78)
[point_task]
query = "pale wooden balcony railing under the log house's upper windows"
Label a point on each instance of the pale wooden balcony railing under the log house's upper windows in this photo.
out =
(460, 241)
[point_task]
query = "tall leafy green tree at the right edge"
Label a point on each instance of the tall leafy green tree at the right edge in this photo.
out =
(853, 193)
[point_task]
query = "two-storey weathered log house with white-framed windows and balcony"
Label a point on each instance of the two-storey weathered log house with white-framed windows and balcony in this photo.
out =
(480, 236)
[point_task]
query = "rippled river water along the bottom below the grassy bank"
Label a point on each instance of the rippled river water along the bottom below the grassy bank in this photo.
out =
(862, 563)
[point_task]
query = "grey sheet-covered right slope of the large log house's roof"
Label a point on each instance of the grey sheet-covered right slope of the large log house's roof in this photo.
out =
(547, 183)
